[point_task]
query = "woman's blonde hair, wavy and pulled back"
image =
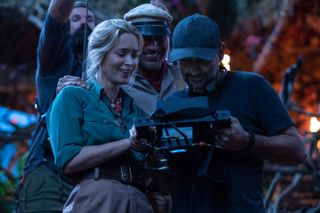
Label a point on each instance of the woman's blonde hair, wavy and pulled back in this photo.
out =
(103, 38)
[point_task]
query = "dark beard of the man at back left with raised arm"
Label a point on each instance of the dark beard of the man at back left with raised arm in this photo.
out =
(77, 39)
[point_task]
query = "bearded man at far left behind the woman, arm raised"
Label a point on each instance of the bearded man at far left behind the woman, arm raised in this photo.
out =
(43, 188)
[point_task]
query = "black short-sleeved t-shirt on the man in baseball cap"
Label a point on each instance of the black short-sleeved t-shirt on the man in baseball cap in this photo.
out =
(252, 100)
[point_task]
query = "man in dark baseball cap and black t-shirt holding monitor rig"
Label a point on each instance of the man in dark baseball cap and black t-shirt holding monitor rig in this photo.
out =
(230, 177)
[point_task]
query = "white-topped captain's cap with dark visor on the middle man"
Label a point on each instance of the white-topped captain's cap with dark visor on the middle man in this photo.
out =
(150, 20)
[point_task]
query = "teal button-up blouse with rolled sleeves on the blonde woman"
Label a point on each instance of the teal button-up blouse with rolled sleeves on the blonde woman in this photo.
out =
(79, 117)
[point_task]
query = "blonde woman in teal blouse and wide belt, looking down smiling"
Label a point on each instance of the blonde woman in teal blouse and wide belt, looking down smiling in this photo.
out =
(89, 129)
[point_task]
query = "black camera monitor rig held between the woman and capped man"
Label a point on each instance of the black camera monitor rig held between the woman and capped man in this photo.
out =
(180, 126)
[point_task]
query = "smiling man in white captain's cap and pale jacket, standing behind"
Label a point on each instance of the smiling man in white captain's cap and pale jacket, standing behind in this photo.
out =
(154, 80)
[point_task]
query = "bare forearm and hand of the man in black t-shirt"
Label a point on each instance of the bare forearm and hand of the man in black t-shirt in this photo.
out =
(286, 147)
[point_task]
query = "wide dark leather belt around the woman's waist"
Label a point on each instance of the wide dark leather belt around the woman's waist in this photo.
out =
(126, 174)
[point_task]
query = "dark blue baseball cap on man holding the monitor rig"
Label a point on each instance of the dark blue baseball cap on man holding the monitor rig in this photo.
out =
(195, 36)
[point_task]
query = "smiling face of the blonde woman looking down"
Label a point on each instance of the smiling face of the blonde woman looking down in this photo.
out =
(121, 61)
